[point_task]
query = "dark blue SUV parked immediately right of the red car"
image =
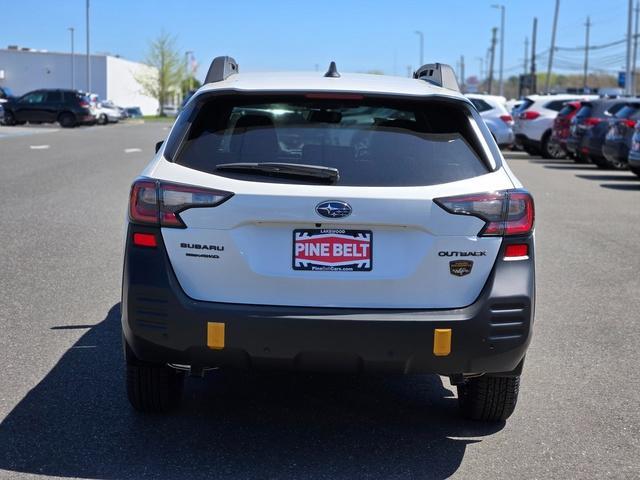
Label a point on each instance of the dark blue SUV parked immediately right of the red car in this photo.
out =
(589, 126)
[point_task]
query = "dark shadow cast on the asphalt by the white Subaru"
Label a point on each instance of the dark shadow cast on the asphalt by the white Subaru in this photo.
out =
(77, 422)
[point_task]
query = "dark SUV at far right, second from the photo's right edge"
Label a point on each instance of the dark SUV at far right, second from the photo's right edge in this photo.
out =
(617, 140)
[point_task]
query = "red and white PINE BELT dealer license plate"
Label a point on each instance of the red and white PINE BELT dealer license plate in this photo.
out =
(333, 250)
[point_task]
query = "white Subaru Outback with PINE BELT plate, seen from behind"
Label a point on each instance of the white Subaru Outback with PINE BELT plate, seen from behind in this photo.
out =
(353, 223)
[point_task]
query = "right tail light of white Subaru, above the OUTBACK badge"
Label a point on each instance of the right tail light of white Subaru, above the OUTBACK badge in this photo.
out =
(506, 213)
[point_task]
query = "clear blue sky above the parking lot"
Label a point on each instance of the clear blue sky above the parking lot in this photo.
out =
(297, 35)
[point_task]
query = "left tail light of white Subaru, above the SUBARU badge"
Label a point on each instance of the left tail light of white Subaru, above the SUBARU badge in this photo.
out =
(160, 203)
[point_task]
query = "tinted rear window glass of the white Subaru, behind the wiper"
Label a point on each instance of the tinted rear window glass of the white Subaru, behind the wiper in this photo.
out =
(371, 142)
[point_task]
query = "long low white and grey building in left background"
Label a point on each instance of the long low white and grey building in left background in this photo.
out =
(112, 78)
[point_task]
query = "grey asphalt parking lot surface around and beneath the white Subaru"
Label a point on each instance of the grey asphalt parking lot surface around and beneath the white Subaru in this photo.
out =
(63, 410)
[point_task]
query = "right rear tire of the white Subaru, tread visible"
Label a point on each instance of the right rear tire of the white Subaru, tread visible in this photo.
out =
(488, 399)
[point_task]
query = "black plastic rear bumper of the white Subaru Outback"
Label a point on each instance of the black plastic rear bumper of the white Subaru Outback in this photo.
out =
(161, 324)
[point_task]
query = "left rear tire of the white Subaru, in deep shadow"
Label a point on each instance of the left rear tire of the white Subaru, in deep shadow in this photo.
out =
(152, 388)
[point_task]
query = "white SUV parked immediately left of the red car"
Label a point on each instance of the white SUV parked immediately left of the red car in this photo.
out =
(534, 122)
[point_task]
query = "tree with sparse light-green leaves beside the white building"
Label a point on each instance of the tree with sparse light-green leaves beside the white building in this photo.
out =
(167, 69)
